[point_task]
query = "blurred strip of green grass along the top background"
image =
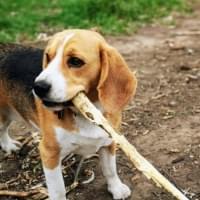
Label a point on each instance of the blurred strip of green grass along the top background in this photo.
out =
(22, 19)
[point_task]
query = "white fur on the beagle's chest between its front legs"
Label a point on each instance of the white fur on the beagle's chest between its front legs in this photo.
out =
(87, 140)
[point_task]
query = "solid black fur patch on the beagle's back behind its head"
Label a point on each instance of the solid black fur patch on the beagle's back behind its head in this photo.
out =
(22, 65)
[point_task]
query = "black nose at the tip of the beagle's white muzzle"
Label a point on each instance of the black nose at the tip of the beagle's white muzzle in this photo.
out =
(41, 88)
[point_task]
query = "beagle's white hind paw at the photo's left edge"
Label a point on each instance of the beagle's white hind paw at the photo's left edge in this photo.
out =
(9, 145)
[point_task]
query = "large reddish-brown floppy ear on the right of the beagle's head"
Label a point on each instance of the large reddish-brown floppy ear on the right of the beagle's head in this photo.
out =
(117, 84)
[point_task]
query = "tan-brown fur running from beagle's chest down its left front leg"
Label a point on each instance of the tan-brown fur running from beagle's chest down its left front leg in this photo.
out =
(49, 147)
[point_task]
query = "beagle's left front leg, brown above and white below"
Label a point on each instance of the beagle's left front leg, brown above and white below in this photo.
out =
(51, 162)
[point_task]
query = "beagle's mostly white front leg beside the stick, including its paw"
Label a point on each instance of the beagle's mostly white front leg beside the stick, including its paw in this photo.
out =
(108, 164)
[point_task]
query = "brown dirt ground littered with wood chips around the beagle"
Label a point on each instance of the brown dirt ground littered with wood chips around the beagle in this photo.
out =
(163, 121)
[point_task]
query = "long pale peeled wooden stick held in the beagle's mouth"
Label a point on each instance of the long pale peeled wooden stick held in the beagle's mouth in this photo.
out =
(95, 116)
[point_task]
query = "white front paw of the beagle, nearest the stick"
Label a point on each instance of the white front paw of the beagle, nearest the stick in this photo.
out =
(119, 190)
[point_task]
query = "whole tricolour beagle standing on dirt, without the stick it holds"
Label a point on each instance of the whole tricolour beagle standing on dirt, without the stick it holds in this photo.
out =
(73, 61)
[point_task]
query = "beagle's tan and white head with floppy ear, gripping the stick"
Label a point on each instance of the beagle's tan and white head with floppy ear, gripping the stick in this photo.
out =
(81, 60)
